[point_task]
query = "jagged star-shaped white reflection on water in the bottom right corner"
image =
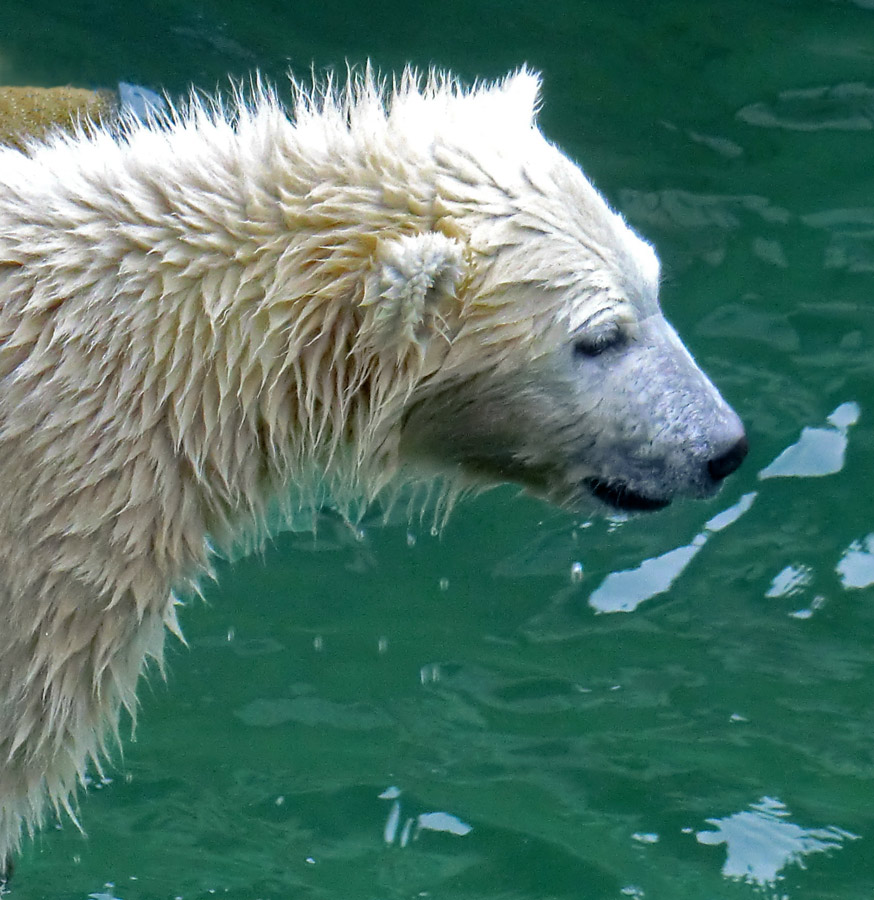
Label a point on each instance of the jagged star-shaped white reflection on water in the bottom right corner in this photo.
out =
(760, 842)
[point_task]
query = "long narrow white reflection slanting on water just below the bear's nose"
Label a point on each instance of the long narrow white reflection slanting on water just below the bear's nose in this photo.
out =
(624, 591)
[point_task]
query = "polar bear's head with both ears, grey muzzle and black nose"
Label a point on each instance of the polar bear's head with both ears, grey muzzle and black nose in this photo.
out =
(551, 364)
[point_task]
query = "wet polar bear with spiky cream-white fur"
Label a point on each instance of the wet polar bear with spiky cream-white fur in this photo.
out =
(208, 315)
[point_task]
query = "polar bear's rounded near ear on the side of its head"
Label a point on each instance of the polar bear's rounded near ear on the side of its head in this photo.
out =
(414, 280)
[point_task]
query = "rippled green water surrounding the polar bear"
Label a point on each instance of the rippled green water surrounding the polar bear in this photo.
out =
(699, 727)
